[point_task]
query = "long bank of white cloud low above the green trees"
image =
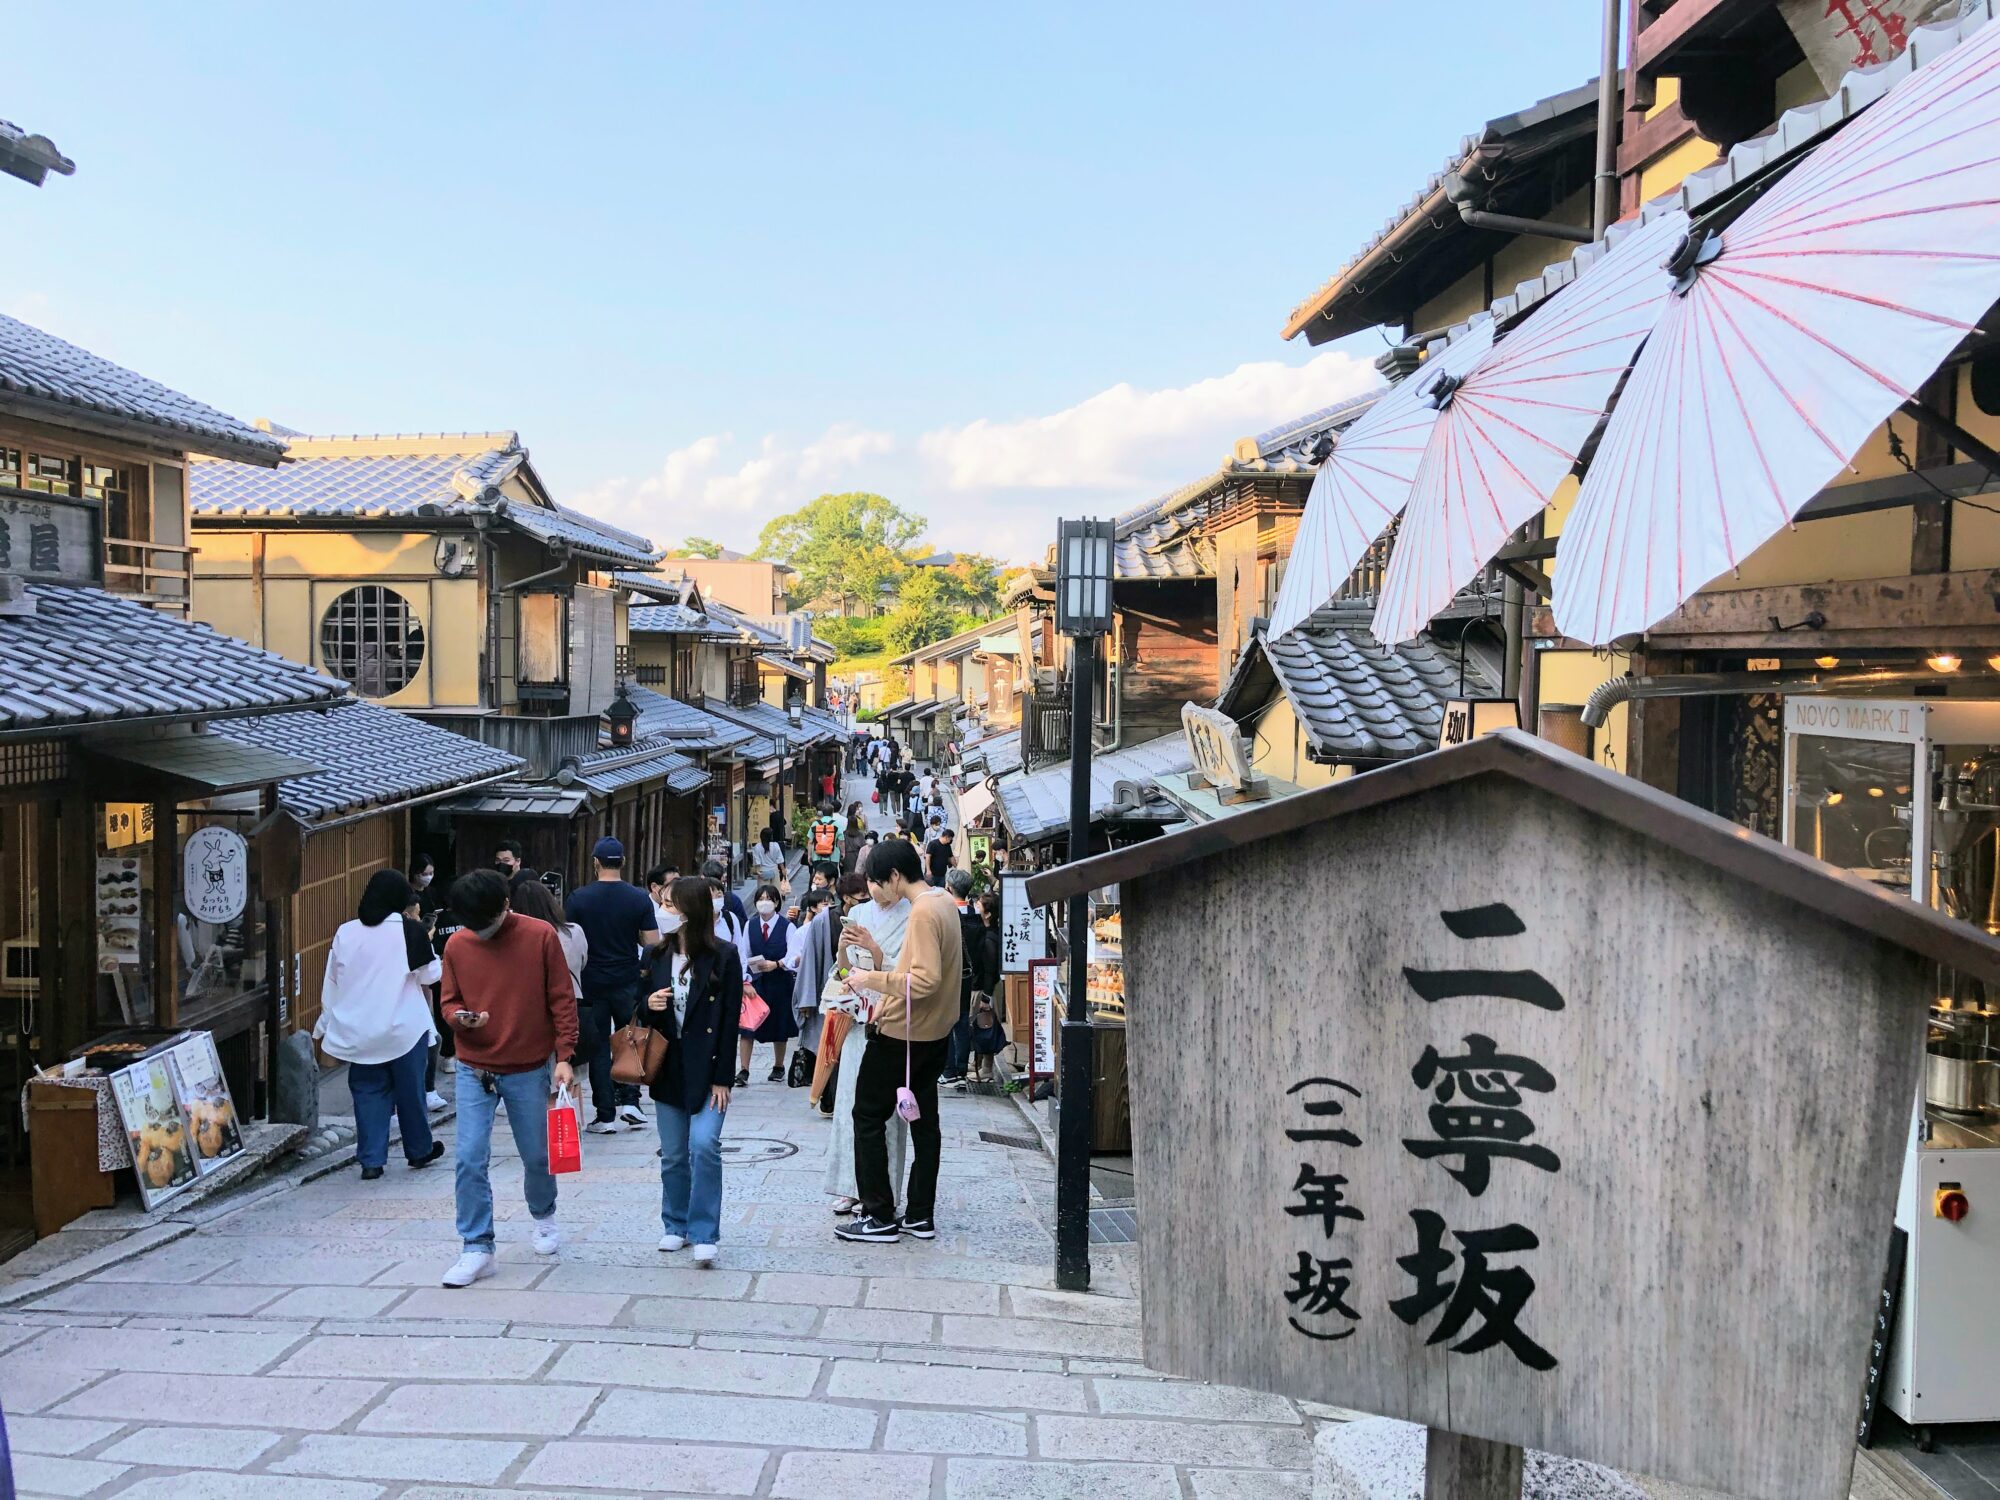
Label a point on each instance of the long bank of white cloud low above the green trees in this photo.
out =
(987, 485)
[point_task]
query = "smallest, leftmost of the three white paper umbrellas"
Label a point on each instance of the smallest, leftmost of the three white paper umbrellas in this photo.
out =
(1365, 481)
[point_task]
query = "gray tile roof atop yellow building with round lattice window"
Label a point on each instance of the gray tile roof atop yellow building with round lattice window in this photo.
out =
(421, 485)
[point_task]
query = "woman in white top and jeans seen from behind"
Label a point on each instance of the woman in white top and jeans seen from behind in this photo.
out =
(375, 1019)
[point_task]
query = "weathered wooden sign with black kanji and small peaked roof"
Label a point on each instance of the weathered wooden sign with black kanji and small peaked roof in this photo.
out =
(1561, 1115)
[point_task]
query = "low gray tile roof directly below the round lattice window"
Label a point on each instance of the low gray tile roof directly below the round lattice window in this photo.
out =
(373, 757)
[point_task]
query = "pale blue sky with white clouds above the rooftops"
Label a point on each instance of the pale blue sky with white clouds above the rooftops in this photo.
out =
(997, 263)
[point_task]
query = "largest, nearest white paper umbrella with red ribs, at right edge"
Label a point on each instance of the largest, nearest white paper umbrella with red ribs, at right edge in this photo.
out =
(1801, 331)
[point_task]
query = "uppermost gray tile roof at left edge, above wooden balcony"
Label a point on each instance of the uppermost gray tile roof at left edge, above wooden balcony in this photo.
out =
(49, 373)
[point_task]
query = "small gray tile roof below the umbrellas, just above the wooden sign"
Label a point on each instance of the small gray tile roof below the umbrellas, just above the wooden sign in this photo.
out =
(1355, 697)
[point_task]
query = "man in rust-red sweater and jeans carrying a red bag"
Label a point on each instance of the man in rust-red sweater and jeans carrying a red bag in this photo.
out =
(513, 1007)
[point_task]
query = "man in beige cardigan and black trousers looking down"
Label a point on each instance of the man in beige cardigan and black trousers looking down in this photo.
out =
(923, 1007)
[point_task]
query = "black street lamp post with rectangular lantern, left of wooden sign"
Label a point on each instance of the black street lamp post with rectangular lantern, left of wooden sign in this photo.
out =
(1083, 615)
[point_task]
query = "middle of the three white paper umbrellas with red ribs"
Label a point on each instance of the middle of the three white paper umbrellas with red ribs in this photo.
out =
(1517, 423)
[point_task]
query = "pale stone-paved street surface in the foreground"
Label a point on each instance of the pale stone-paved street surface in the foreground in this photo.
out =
(303, 1349)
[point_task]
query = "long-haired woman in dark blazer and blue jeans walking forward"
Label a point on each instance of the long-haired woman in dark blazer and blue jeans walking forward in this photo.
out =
(699, 1011)
